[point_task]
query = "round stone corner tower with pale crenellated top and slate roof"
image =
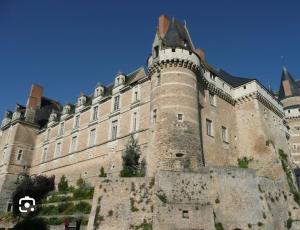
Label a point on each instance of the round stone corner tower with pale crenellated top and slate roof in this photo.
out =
(175, 115)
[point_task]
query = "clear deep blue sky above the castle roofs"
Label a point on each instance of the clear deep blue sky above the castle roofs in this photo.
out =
(67, 46)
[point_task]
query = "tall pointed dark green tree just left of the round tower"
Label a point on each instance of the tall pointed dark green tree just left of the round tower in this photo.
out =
(131, 160)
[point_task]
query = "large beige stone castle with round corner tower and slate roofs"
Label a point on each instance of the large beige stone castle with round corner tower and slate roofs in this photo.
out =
(192, 122)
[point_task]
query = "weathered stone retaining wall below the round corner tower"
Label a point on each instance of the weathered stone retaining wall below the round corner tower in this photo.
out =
(232, 197)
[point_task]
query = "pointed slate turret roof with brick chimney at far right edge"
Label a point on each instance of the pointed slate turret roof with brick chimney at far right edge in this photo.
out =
(288, 86)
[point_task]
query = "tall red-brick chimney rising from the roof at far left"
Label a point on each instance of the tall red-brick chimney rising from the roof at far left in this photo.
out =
(33, 102)
